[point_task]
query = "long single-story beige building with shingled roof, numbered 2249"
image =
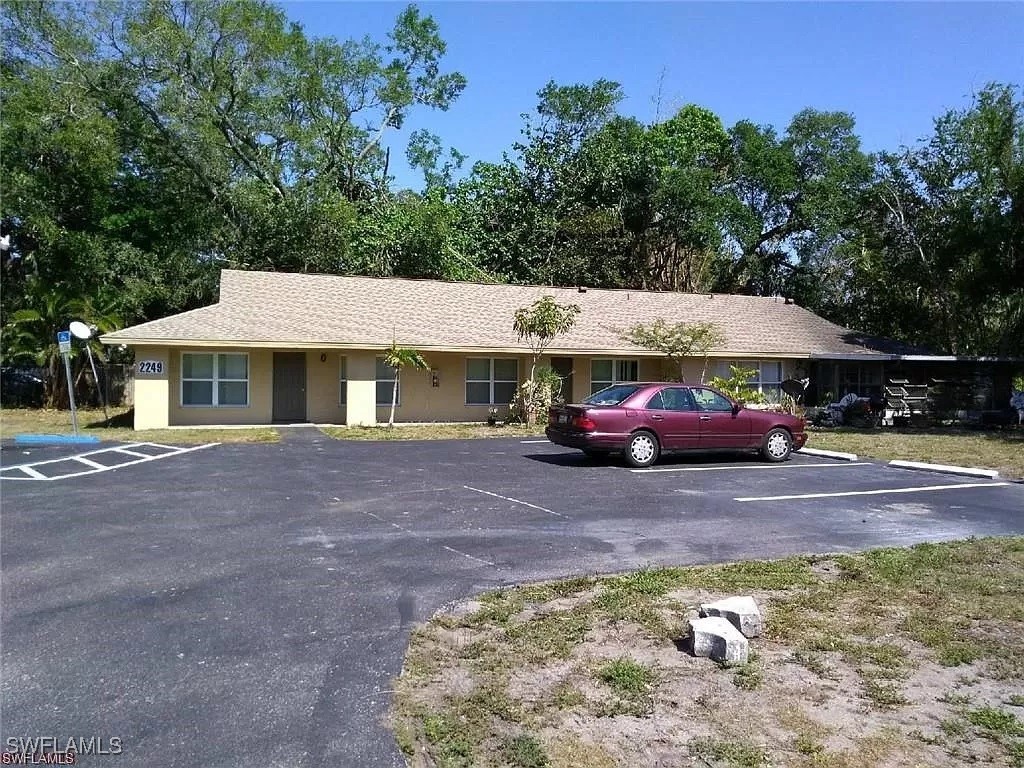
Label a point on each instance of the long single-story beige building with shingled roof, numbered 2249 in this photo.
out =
(284, 349)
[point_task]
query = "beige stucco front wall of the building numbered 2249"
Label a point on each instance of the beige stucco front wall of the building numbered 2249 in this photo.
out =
(158, 399)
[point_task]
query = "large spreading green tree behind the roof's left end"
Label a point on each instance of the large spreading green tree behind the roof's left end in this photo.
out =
(148, 145)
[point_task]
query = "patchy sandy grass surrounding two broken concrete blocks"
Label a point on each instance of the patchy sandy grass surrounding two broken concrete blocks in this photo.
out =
(892, 658)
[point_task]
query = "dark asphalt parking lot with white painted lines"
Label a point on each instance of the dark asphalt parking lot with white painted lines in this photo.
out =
(250, 605)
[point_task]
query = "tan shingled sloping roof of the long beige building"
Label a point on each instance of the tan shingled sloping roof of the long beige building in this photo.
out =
(283, 310)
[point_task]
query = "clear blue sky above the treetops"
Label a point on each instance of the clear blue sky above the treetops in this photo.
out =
(894, 66)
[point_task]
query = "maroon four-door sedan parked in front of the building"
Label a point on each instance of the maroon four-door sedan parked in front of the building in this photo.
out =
(644, 421)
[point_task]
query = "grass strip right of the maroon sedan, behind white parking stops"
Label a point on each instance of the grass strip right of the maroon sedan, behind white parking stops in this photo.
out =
(1003, 451)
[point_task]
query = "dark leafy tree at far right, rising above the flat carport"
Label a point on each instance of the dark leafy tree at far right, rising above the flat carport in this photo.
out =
(941, 262)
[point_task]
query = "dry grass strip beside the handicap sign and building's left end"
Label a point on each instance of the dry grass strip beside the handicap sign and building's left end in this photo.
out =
(91, 422)
